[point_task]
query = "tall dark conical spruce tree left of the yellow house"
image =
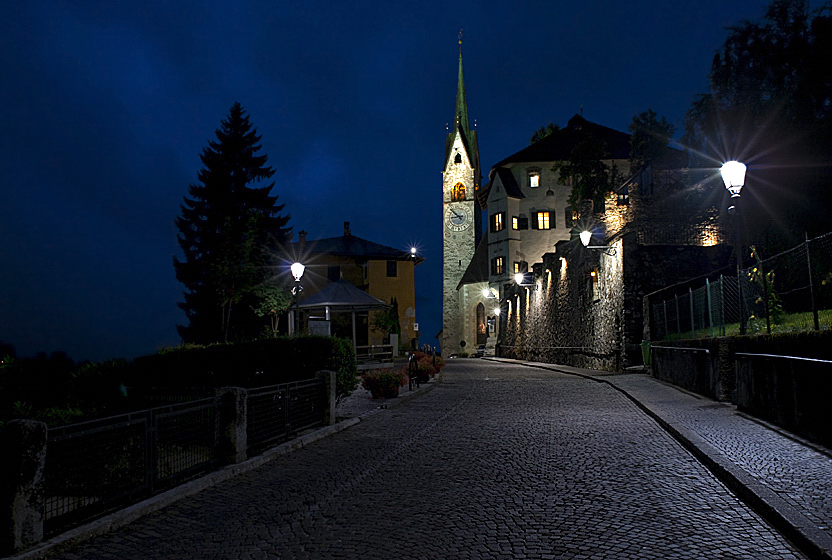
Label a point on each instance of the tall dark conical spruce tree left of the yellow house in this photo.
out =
(225, 227)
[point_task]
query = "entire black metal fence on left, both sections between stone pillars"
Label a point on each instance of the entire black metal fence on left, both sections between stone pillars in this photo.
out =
(96, 467)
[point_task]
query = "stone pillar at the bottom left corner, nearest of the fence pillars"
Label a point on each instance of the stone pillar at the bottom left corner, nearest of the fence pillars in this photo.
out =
(23, 445)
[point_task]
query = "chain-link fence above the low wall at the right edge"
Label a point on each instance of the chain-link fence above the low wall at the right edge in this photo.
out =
(791, 291)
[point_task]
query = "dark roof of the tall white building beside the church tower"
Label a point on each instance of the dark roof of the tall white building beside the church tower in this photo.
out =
(558, 146)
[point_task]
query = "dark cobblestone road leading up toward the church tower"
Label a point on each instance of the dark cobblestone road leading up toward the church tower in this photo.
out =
(497, 461)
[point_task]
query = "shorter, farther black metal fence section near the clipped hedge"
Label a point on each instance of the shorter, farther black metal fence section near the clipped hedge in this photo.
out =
(278, 412)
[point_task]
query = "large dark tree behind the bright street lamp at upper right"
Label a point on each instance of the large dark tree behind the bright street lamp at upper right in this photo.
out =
(770, 106)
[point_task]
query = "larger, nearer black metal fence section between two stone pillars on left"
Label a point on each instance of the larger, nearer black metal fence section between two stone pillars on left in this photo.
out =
(94, 467)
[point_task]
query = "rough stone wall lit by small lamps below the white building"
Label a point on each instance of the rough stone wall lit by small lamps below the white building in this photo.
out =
(561, 320)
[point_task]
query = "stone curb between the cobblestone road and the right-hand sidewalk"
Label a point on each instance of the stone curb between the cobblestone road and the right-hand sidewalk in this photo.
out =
(816, 544)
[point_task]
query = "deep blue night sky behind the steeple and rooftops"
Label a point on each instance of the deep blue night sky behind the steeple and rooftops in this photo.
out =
(106, 106)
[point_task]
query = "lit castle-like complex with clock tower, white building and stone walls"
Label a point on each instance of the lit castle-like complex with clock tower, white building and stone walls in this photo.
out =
(493, 276)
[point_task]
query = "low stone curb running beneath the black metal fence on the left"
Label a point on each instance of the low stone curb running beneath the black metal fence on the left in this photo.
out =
(129, 514)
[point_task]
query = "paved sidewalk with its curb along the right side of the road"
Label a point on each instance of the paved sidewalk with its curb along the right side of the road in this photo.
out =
(785, 479)
